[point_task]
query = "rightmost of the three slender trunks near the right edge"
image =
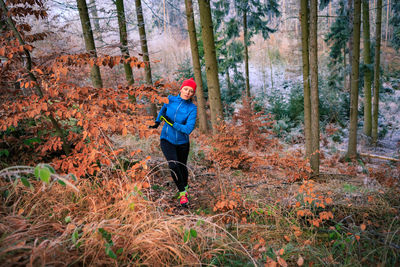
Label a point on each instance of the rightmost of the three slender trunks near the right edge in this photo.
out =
(377, 72)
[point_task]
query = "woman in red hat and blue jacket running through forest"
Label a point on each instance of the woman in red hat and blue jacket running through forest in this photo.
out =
(179, 116)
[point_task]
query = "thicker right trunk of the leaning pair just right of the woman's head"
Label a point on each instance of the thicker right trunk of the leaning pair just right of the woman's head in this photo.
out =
(211, 63)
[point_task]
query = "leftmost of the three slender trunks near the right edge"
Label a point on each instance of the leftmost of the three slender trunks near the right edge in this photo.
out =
(355, 64)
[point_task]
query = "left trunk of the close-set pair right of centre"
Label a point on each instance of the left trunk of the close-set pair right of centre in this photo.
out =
(306, 75)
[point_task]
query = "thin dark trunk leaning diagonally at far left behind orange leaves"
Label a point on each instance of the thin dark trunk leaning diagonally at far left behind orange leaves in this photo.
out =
(28, 65)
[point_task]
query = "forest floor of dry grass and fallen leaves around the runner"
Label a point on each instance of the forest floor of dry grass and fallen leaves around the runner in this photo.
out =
(347, 216)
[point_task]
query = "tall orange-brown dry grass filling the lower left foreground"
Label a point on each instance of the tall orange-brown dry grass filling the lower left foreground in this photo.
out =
(38, 228)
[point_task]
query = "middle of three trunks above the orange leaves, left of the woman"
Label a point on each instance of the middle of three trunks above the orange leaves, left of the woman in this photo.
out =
(123, 36)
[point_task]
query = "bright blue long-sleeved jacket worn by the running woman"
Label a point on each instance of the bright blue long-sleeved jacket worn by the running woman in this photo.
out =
(183, 115)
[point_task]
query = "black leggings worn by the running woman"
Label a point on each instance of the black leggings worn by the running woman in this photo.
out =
(176, 156)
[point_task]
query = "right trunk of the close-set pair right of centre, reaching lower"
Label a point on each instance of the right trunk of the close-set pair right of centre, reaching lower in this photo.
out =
(314, 86)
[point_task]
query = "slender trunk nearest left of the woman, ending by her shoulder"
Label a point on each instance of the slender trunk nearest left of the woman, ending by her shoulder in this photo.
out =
(145, 51)
